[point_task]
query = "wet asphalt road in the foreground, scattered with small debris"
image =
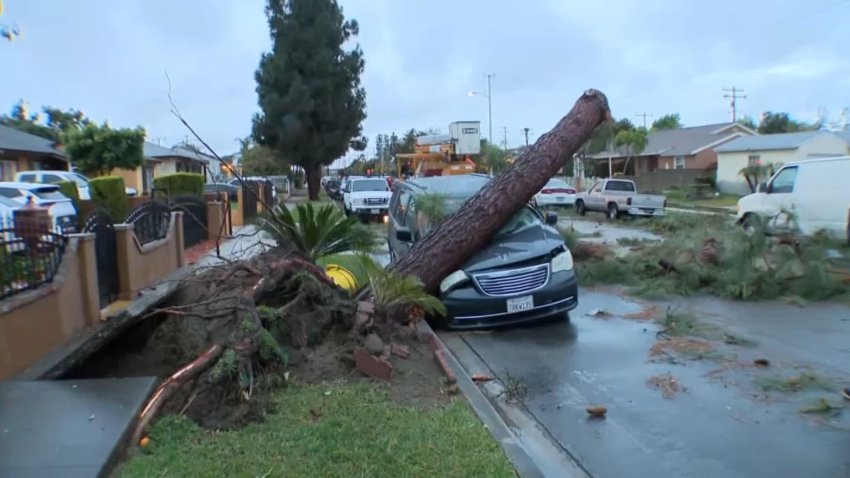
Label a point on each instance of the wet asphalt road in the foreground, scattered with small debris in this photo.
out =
(721, 424)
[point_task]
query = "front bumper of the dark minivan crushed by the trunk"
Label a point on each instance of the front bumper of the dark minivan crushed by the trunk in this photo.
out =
(468, 308)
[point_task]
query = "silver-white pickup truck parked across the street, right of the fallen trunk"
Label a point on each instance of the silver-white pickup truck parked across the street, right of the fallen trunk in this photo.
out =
(617, 197)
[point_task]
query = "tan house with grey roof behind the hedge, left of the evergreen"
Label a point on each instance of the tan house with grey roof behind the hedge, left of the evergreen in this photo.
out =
(160, 161)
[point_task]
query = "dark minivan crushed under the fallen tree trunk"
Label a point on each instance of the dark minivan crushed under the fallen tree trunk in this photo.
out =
(526, 273)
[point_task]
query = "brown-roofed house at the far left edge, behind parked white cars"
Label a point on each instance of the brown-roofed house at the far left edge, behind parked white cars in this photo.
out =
(21, 151)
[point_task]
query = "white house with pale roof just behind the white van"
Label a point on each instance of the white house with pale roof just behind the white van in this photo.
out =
(774, 149)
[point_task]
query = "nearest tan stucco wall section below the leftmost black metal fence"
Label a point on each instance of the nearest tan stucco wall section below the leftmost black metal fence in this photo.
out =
(36, 322)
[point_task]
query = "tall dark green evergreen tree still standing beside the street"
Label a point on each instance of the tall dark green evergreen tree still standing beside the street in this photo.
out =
(312, 104)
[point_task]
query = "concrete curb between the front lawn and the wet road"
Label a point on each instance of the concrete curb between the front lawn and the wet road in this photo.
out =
(499, 430)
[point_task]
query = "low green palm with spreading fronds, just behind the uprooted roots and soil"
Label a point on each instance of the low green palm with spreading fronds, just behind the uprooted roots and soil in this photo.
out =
(316, 232)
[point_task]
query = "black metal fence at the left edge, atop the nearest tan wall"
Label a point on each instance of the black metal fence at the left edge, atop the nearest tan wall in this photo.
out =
(30, 256)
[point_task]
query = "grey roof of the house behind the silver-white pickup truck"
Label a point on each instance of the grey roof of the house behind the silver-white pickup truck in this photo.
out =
(683, 141)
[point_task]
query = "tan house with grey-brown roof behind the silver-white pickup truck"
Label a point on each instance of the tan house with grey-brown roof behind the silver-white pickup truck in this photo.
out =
(690, 148)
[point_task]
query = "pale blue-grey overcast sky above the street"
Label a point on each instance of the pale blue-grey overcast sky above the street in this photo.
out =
(108, 58)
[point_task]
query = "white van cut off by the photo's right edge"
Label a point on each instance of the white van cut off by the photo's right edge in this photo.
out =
(806, 196)
